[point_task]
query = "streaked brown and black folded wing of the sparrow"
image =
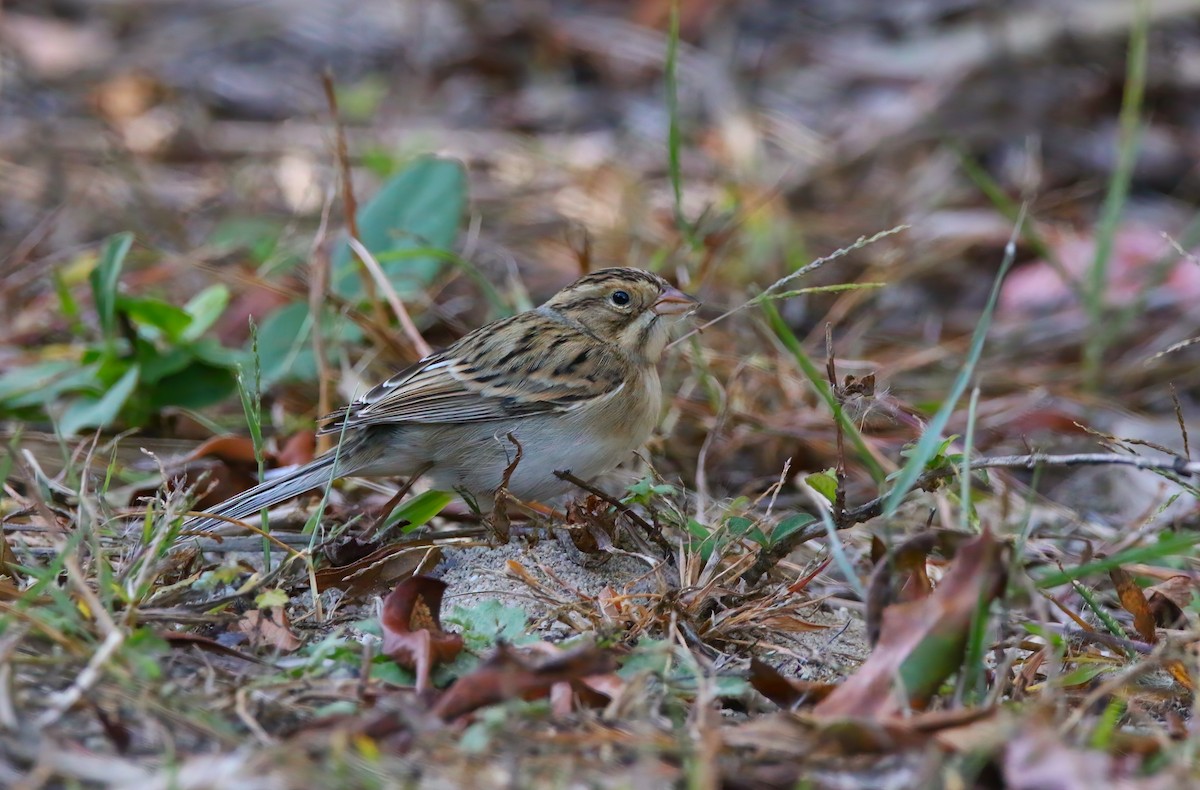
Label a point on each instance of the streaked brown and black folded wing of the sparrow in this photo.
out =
(530, 364)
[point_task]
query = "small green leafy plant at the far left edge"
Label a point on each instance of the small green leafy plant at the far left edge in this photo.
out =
(142, 356)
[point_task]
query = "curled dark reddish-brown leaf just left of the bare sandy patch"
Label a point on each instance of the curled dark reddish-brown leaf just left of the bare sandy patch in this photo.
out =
(412, 627)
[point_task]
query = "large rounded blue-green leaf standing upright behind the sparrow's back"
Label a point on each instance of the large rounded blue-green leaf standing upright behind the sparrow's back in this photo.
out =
(421, 207)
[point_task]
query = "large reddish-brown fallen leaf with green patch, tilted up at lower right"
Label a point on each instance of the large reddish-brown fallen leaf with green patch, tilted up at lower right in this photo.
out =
(922, 642)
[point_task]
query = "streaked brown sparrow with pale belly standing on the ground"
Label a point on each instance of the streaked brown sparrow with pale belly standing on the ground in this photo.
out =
(573, 382)
